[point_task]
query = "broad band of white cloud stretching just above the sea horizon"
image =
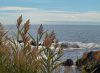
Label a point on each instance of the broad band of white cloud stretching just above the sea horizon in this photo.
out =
(8, 15)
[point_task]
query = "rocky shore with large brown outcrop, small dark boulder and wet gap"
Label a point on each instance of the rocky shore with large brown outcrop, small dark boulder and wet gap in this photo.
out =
(88, 63)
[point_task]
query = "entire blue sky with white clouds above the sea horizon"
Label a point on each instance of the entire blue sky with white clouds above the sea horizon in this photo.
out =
(50, 11)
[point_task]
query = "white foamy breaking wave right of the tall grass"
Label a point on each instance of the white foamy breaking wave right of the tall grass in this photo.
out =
(78, 45)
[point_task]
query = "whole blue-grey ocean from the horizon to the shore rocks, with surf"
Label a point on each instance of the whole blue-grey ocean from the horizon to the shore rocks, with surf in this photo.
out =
(86, 36)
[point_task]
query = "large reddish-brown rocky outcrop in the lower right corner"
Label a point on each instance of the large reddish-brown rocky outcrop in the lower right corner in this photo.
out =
(90, 62)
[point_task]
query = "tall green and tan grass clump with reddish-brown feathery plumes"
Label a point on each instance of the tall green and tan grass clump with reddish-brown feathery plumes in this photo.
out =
(24, 54)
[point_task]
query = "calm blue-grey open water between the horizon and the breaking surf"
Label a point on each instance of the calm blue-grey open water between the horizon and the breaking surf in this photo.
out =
(71, 33)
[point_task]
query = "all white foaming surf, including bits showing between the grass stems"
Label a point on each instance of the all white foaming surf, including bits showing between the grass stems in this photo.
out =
(72, 45)
